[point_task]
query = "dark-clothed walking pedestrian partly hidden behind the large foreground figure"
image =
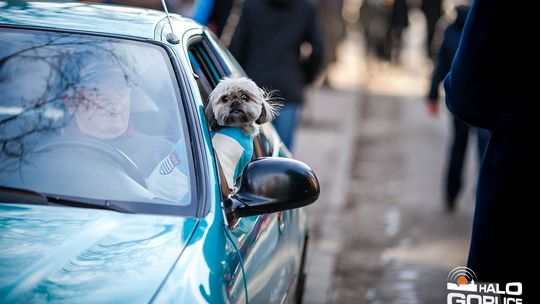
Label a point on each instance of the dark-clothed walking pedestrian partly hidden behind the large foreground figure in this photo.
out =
(460, 129)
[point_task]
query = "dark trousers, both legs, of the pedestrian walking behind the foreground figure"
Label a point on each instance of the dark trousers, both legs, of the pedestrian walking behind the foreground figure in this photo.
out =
(454, 175)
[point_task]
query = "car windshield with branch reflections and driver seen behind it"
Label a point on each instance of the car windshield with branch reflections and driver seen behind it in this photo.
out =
(91, 117)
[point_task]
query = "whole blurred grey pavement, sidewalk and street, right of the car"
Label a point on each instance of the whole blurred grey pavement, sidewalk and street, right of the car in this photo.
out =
(379, 232)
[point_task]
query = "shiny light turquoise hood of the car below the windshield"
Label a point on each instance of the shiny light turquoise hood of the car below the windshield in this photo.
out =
(58, 253)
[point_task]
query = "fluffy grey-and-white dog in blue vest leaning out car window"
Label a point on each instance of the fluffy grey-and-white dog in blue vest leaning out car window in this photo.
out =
(236, 108)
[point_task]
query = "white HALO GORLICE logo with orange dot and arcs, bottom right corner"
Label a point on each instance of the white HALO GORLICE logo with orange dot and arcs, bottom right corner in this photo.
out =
(463, 288)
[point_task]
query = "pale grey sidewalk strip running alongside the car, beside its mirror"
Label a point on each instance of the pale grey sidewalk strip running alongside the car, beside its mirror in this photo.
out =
(325, 141)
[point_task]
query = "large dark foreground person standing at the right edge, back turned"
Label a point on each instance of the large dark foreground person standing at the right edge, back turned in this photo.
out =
(487, 88)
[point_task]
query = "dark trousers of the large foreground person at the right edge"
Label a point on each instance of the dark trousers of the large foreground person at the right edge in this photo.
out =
(503, 237)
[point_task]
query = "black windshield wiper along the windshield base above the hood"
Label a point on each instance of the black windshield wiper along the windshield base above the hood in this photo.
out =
(30, 197)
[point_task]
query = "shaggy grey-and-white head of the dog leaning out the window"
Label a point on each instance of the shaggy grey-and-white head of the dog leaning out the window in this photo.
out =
(239, 102)
